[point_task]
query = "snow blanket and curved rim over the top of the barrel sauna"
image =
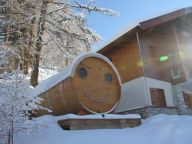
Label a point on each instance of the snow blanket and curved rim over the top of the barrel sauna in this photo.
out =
(69, 71)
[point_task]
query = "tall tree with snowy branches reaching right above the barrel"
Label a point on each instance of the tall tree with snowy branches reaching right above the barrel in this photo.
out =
(65, 25)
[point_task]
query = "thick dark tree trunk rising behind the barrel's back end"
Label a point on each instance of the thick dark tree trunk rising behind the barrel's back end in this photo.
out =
(38, 46)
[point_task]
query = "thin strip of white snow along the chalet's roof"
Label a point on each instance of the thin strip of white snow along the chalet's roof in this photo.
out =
(137, 23)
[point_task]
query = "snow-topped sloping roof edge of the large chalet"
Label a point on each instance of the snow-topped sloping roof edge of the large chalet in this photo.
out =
(148, 23)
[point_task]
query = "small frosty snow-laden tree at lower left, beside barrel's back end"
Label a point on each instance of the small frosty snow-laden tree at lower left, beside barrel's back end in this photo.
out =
(15, 104)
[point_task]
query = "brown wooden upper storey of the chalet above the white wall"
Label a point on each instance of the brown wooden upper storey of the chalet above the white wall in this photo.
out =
(159, 48)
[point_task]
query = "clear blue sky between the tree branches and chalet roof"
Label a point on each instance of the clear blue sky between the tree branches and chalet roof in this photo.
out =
(131, 11)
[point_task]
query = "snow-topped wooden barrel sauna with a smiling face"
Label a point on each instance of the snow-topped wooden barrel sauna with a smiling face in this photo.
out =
(91, 84)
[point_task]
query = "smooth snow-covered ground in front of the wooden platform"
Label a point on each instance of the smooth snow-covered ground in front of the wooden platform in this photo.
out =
(160, 129)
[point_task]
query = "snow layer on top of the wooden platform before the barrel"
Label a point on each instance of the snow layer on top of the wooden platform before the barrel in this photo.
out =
(99, 116)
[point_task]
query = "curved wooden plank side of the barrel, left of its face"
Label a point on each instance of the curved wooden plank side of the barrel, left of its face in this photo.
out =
(60, 99)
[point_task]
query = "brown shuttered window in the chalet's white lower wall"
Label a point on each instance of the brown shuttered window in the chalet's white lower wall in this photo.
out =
(157, 97)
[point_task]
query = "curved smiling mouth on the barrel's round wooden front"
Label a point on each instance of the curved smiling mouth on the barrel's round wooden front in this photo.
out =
(98, 100)
